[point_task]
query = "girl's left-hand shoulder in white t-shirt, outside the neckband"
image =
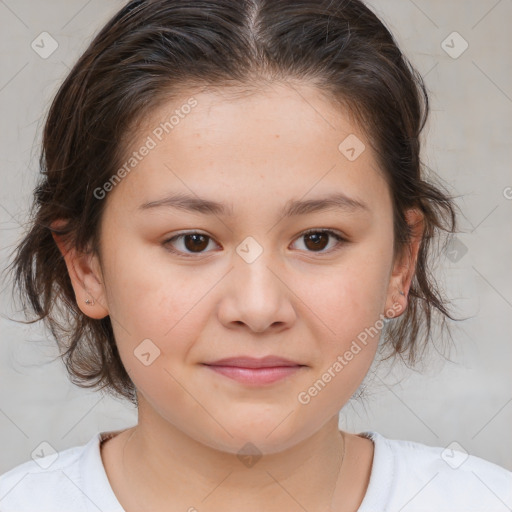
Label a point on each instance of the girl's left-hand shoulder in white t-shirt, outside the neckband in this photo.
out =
(49, 482)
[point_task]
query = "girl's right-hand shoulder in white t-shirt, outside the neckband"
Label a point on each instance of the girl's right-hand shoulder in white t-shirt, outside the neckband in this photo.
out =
(423, 477)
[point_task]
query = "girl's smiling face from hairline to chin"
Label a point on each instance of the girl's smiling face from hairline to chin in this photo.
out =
(256, 275)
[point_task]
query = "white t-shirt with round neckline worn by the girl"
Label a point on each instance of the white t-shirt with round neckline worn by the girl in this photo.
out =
(406, 476)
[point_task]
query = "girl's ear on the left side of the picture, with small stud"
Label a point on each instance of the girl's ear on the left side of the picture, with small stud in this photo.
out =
(85, 273)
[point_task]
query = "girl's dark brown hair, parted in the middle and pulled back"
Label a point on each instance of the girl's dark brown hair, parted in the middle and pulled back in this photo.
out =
(153, 50)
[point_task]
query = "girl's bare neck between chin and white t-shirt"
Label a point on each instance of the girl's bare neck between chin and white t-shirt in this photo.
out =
(164, 466)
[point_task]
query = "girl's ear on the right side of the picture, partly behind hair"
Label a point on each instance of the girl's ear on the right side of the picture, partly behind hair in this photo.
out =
(405, 266)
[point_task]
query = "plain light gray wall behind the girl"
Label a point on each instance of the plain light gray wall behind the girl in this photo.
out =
(468, 139)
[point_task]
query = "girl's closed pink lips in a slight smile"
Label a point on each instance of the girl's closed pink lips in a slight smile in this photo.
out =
(255, 371)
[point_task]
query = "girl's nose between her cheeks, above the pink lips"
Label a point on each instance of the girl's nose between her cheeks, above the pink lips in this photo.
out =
(257, 295)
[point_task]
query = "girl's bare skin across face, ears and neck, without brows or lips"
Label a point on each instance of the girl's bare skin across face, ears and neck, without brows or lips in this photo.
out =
(254, 152)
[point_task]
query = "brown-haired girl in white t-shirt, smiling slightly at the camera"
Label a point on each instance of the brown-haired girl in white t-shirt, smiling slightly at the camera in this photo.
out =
(233, 209)
